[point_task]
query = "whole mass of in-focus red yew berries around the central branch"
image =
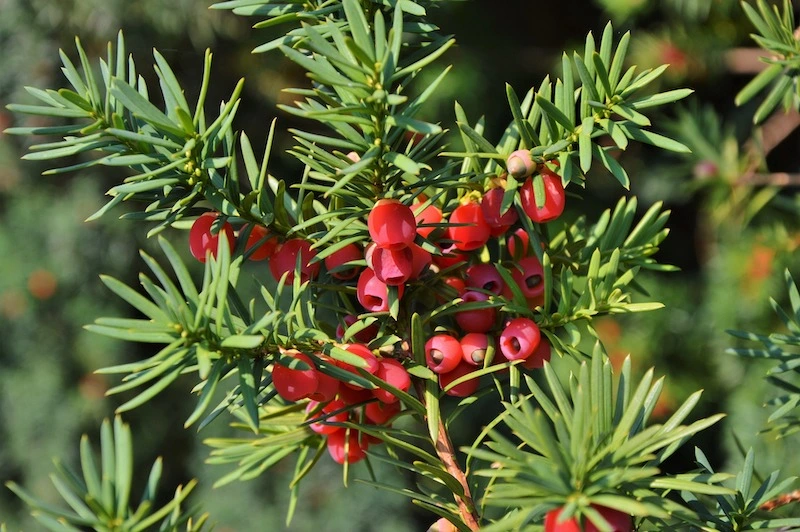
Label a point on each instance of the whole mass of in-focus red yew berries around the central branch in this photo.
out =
(411, 243)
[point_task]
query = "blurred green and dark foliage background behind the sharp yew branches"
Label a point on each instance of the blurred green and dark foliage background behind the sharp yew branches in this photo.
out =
(731, 247)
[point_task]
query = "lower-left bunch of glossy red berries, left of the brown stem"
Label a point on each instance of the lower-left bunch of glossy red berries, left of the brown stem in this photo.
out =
(333, 401)
